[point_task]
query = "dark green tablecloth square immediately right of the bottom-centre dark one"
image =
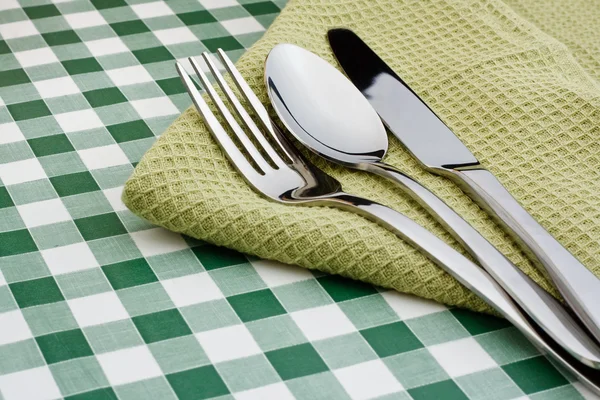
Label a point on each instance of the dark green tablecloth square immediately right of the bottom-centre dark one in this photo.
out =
(391, 339)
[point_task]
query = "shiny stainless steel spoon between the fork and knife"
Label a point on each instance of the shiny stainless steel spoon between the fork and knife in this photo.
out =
(324, 111)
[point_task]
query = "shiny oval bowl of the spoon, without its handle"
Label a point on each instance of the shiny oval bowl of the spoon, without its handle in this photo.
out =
(322, 107)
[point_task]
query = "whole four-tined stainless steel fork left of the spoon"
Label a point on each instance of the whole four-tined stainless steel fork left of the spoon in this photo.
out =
(283, 175)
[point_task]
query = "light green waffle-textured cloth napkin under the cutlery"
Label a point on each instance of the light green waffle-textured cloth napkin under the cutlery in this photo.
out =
(516, 80)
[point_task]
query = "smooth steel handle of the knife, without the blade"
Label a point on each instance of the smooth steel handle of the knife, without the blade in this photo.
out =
(578, 285)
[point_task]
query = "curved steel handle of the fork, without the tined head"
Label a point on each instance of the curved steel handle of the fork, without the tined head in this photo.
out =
(470, 275)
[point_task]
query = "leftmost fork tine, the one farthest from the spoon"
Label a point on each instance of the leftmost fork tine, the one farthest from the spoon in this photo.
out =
(221, 136)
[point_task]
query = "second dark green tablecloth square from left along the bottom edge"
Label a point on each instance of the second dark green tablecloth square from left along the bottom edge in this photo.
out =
(198, 383)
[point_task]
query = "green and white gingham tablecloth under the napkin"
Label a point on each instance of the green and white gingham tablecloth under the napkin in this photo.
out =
(98, 304)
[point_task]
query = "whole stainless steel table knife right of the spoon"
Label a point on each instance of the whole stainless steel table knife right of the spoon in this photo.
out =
(439, 150)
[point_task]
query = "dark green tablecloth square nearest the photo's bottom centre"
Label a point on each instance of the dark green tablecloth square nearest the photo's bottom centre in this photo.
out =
(296, 361)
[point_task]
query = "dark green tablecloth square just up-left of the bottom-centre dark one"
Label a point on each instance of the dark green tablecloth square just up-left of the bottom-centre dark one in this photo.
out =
(256, 305)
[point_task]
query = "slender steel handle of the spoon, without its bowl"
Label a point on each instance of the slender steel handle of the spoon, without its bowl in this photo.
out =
(544, 309)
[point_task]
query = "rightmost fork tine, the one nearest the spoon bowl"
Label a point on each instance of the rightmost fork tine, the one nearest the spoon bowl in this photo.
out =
(258, 107)
